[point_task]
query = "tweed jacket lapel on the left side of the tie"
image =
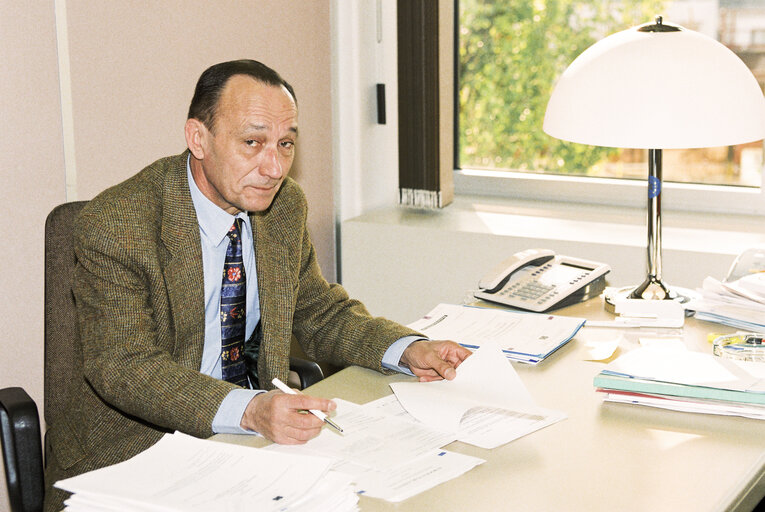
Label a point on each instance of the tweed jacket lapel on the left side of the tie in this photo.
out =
(182, 265)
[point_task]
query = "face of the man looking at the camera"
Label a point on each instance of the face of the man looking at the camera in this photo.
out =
(242, 163)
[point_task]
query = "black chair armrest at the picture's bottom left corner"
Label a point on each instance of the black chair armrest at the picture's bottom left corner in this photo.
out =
(22, 450)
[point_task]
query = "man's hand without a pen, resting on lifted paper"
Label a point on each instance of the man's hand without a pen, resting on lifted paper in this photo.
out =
(434, 360)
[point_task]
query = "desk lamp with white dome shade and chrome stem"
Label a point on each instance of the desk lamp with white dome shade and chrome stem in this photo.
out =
(656, 86)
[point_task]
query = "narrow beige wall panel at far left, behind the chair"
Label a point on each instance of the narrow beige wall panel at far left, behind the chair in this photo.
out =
(32, 170)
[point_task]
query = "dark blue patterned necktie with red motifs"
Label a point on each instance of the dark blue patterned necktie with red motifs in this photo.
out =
(233, 313)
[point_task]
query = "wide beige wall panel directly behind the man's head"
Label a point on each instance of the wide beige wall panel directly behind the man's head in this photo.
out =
(134, 65)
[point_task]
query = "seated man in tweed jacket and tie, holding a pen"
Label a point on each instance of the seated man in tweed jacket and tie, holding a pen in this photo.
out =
(192, 277)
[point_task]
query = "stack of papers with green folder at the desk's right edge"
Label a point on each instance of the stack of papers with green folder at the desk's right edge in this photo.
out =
(685, 381)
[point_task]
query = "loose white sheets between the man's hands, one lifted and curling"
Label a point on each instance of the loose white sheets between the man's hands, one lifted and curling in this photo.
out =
(392, 447)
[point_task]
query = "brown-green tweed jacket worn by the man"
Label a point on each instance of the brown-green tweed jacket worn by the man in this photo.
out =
(139, 292)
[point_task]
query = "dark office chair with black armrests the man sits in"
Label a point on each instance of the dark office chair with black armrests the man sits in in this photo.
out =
(19, 421)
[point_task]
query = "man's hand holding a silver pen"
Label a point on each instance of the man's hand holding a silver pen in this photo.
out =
(283, 418)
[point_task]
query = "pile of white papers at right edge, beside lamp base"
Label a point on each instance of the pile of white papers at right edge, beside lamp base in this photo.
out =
(739, 303)
